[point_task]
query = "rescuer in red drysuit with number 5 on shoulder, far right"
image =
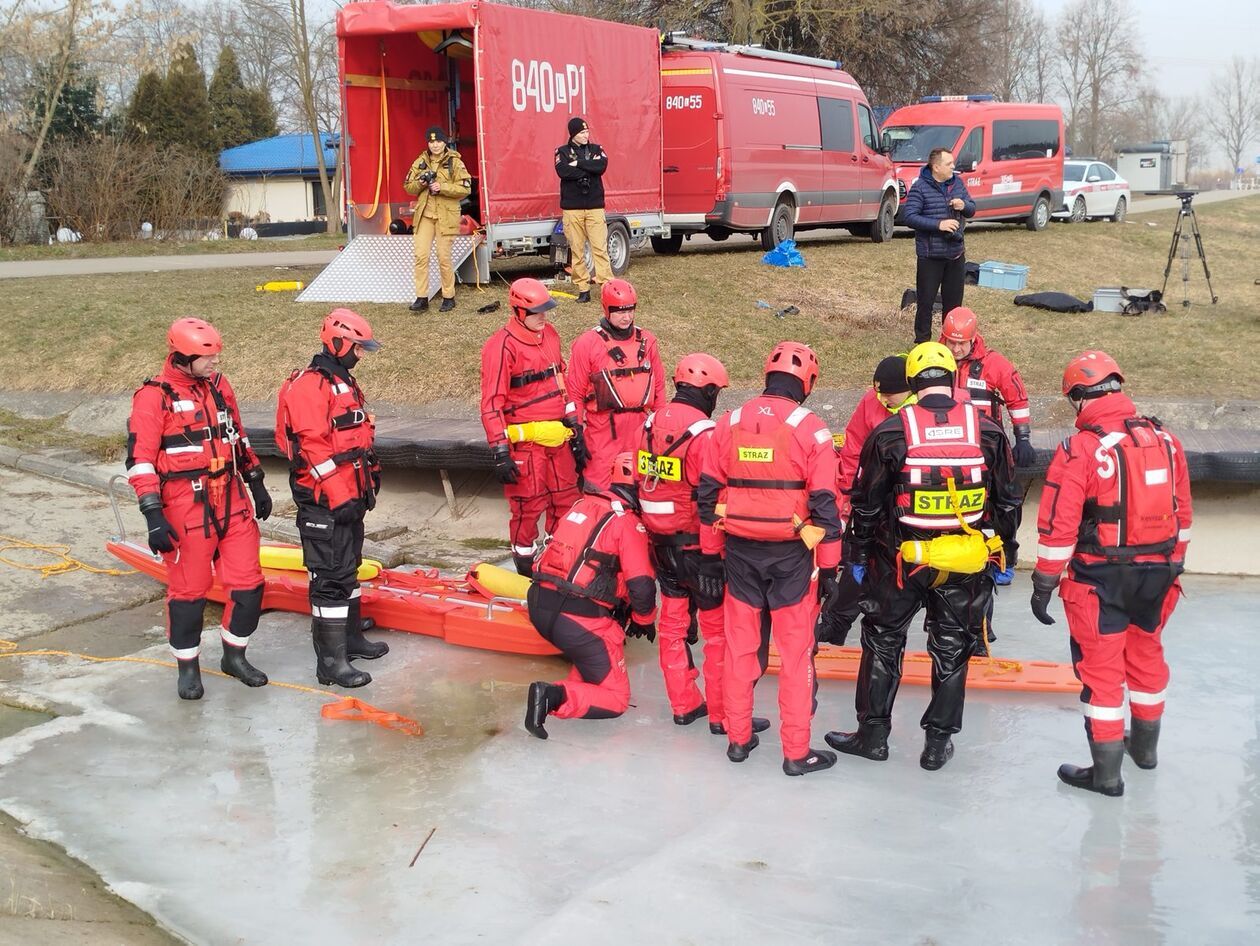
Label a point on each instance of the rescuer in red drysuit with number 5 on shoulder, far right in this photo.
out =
(1117, 515)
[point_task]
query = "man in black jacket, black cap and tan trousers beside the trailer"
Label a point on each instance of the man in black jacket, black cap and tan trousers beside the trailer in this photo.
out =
(580, 166)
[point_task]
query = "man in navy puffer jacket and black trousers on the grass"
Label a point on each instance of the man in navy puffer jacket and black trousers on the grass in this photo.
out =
(936, 207)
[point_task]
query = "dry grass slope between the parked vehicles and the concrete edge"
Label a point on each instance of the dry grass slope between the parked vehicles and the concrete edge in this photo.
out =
(105, 333)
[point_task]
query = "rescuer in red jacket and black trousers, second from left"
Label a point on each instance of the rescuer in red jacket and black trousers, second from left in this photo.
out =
(323, 425)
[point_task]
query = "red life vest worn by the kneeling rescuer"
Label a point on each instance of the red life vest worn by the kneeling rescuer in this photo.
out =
(570, 561)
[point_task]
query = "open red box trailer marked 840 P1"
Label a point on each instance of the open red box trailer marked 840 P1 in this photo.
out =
(503, 81)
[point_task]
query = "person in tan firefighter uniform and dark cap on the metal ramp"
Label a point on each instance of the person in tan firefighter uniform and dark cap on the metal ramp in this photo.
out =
(439, 181)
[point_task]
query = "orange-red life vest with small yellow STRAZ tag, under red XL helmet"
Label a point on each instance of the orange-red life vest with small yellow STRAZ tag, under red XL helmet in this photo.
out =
(767, 496)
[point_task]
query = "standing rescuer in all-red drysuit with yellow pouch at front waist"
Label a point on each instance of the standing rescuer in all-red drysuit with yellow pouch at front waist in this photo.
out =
(522, 381)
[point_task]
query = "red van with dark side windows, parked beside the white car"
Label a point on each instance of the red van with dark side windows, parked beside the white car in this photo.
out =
(1010, 154)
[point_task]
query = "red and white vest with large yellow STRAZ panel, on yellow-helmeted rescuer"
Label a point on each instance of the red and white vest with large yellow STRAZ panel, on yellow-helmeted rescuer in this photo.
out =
(942, 449)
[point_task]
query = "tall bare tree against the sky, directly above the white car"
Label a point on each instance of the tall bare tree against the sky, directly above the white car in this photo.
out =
(1101, 67)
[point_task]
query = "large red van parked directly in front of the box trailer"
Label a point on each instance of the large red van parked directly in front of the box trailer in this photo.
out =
(767, 144)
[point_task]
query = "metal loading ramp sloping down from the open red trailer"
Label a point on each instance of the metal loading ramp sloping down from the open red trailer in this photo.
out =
(381, 269)
